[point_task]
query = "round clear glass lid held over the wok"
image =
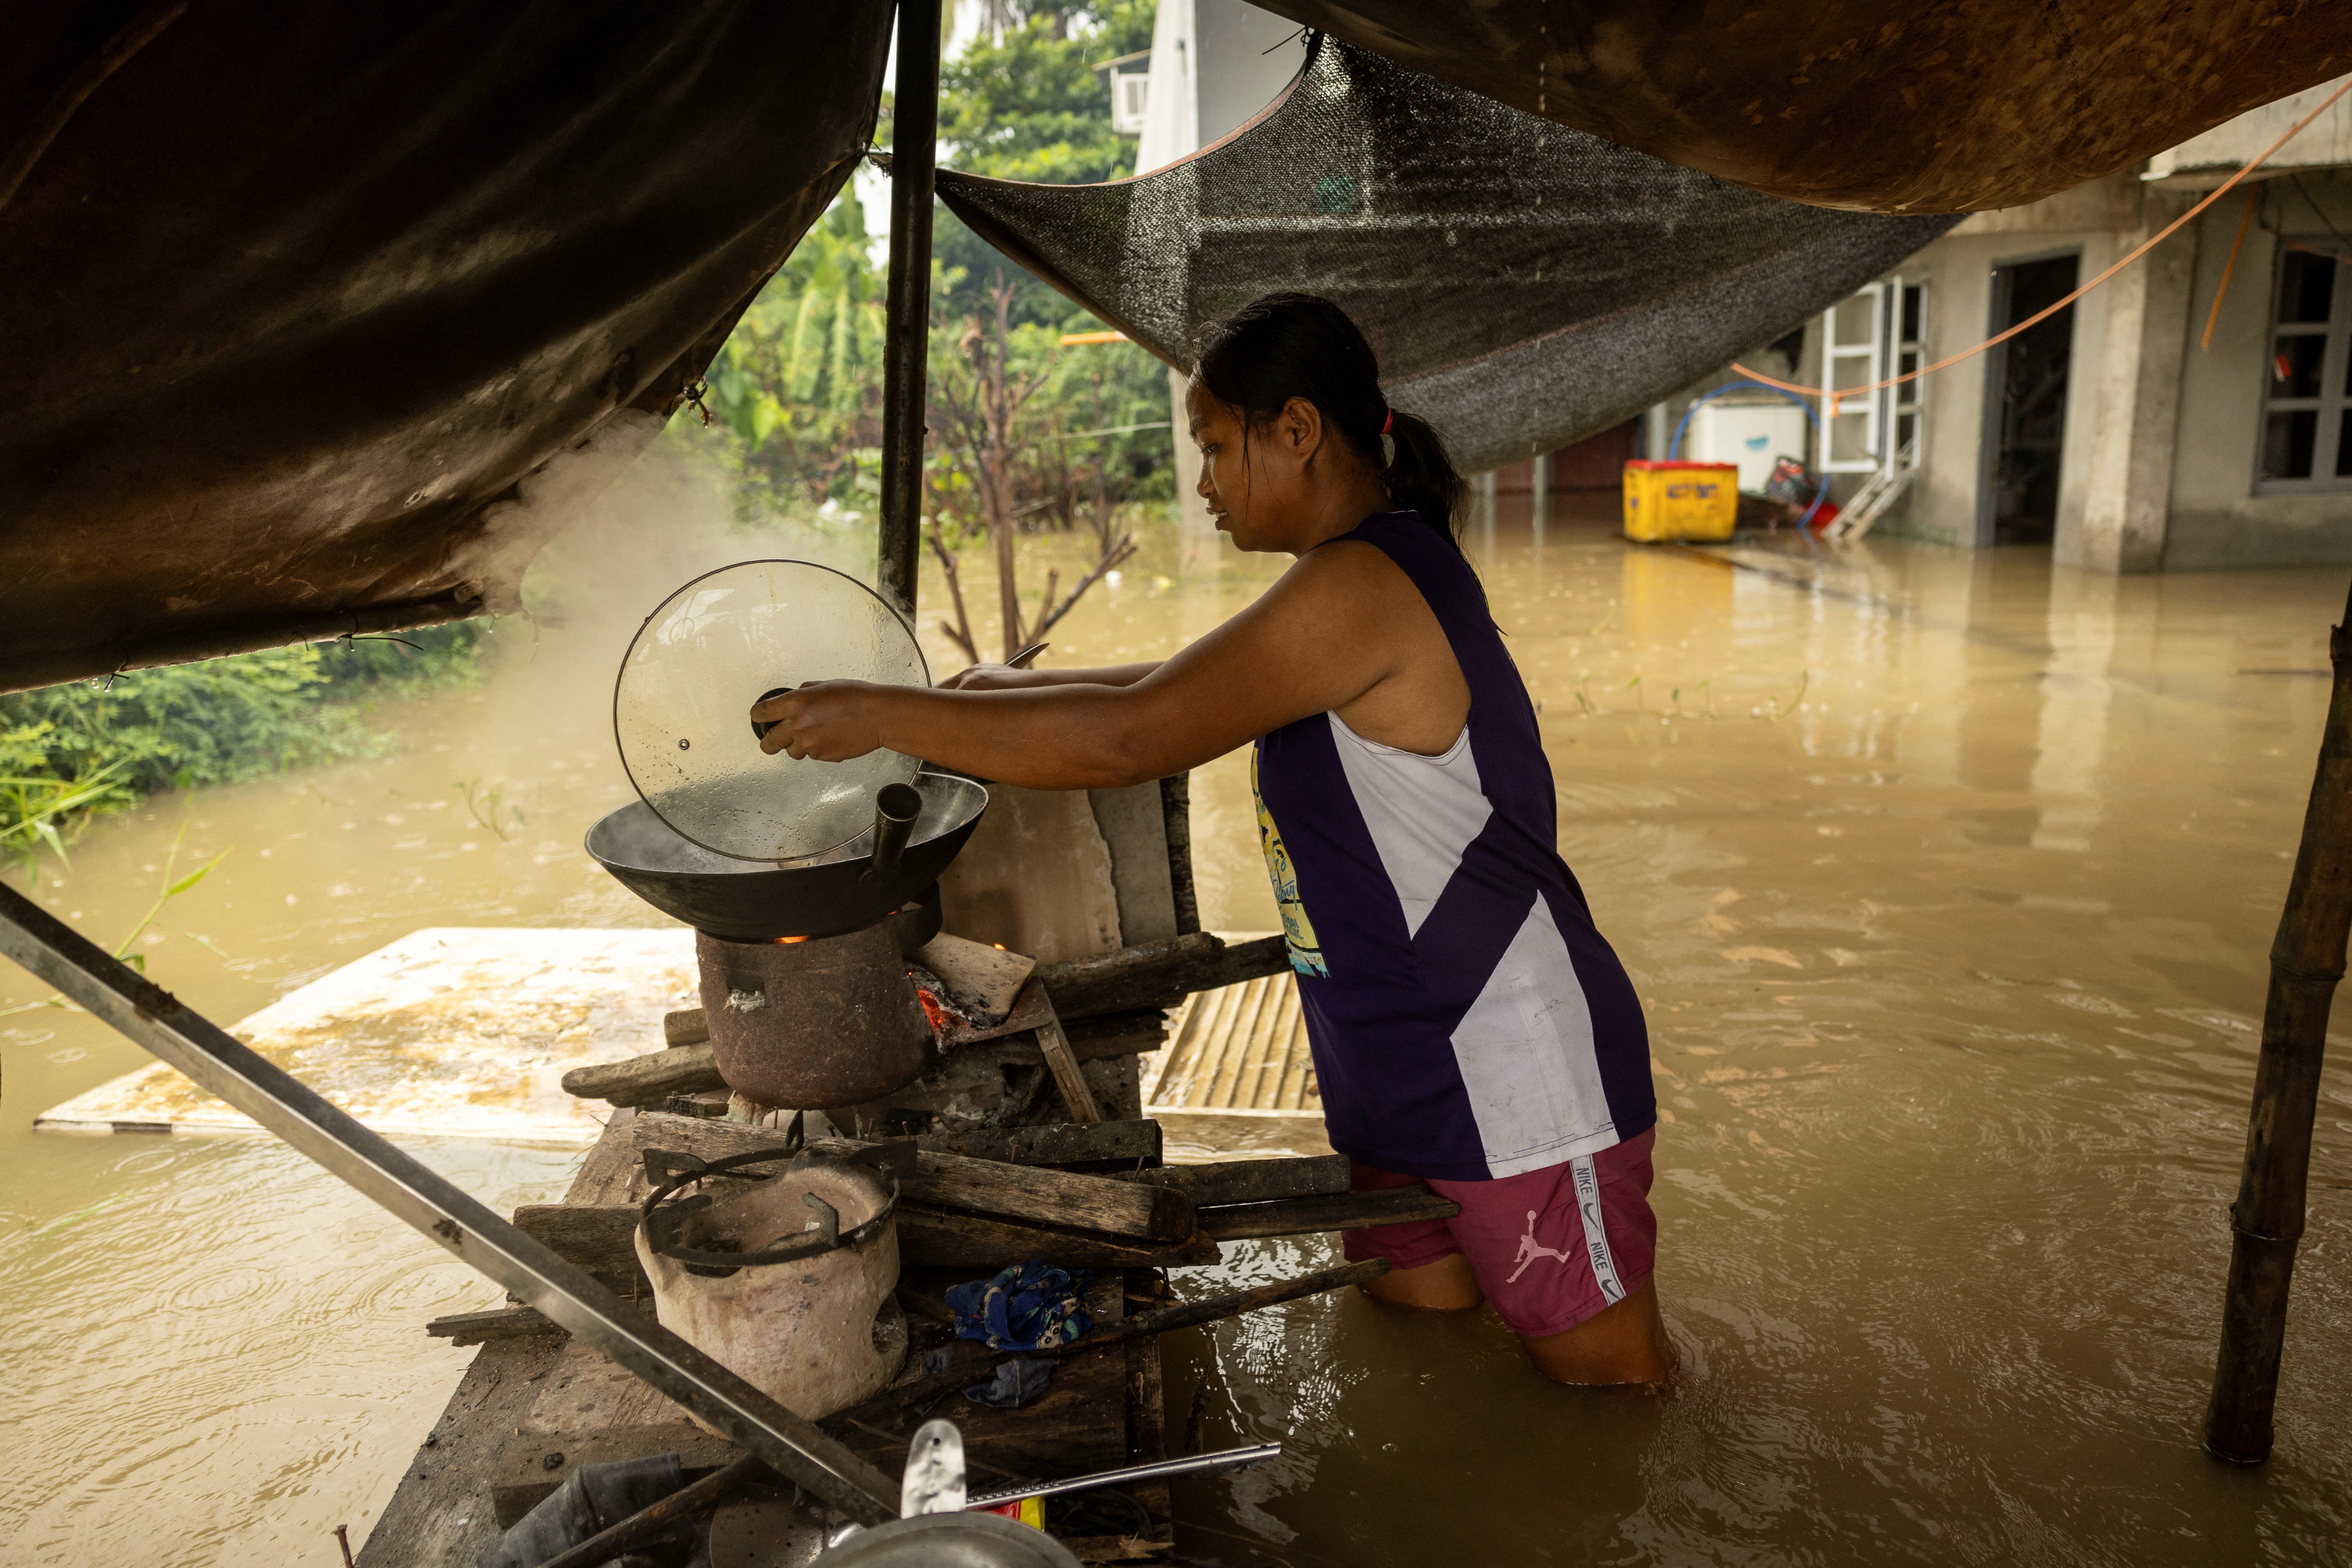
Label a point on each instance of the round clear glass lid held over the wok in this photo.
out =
(719, 645)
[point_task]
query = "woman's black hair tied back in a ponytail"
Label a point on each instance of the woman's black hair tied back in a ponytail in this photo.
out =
(1283, 347)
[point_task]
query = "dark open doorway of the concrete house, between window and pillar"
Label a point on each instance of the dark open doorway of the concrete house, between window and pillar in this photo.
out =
(2026, 406)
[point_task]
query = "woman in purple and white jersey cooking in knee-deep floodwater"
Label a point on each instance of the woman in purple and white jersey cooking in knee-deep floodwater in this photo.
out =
(1469, 1024)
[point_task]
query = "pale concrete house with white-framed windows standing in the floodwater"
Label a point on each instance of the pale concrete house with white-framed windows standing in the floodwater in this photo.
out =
(2160, 424)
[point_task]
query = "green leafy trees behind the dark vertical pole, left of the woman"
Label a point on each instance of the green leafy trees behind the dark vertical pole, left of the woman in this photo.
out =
(1027, 434)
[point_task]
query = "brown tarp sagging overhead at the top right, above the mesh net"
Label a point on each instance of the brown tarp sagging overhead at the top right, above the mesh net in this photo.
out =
(1887, 107)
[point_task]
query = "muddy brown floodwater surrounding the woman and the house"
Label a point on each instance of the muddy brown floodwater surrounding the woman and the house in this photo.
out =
(1946, 883)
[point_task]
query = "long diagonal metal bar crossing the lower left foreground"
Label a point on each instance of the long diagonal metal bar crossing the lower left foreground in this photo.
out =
(467, 1231)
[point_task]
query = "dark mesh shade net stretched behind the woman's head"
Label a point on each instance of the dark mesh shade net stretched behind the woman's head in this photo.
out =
(1523, 283)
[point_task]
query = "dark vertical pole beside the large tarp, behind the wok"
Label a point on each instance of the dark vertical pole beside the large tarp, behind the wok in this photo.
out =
(909, 309)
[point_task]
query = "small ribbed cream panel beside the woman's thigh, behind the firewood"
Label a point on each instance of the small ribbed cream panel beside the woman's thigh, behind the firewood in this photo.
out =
(1241, 1050)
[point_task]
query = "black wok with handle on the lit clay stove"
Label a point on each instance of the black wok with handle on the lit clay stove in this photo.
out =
(749, 902)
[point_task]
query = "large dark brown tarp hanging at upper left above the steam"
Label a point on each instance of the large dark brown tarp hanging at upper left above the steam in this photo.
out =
(298, 302)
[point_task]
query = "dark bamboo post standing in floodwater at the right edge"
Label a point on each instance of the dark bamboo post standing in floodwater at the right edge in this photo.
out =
(2266, 1224)
